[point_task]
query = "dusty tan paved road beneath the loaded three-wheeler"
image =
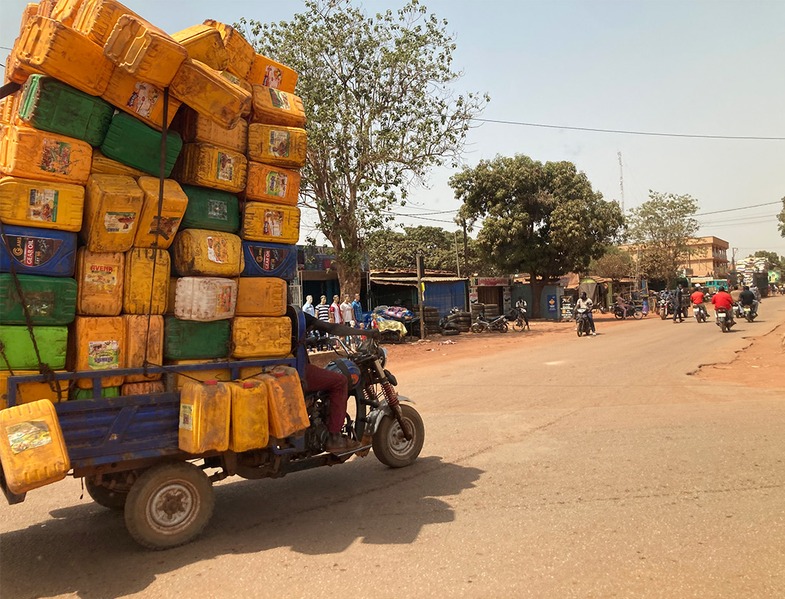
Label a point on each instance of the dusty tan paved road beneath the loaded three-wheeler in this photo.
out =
(574, 468)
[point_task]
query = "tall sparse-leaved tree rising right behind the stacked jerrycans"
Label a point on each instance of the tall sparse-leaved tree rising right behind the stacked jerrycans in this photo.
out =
(380, 110)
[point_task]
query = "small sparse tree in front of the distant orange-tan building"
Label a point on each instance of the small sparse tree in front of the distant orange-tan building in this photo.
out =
(660, 229)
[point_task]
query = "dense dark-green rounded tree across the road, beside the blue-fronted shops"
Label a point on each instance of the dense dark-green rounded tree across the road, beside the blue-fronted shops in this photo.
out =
(542, 219)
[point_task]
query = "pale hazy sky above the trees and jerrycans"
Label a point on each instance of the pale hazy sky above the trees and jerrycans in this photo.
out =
(682, 67)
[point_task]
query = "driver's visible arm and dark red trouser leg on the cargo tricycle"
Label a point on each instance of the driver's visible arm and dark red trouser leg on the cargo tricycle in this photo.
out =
(335, 384)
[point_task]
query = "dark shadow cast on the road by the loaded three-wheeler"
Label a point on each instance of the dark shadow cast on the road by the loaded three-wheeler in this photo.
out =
(85, 550)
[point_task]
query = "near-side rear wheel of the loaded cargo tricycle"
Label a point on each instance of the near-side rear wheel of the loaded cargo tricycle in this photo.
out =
(169, 505)
